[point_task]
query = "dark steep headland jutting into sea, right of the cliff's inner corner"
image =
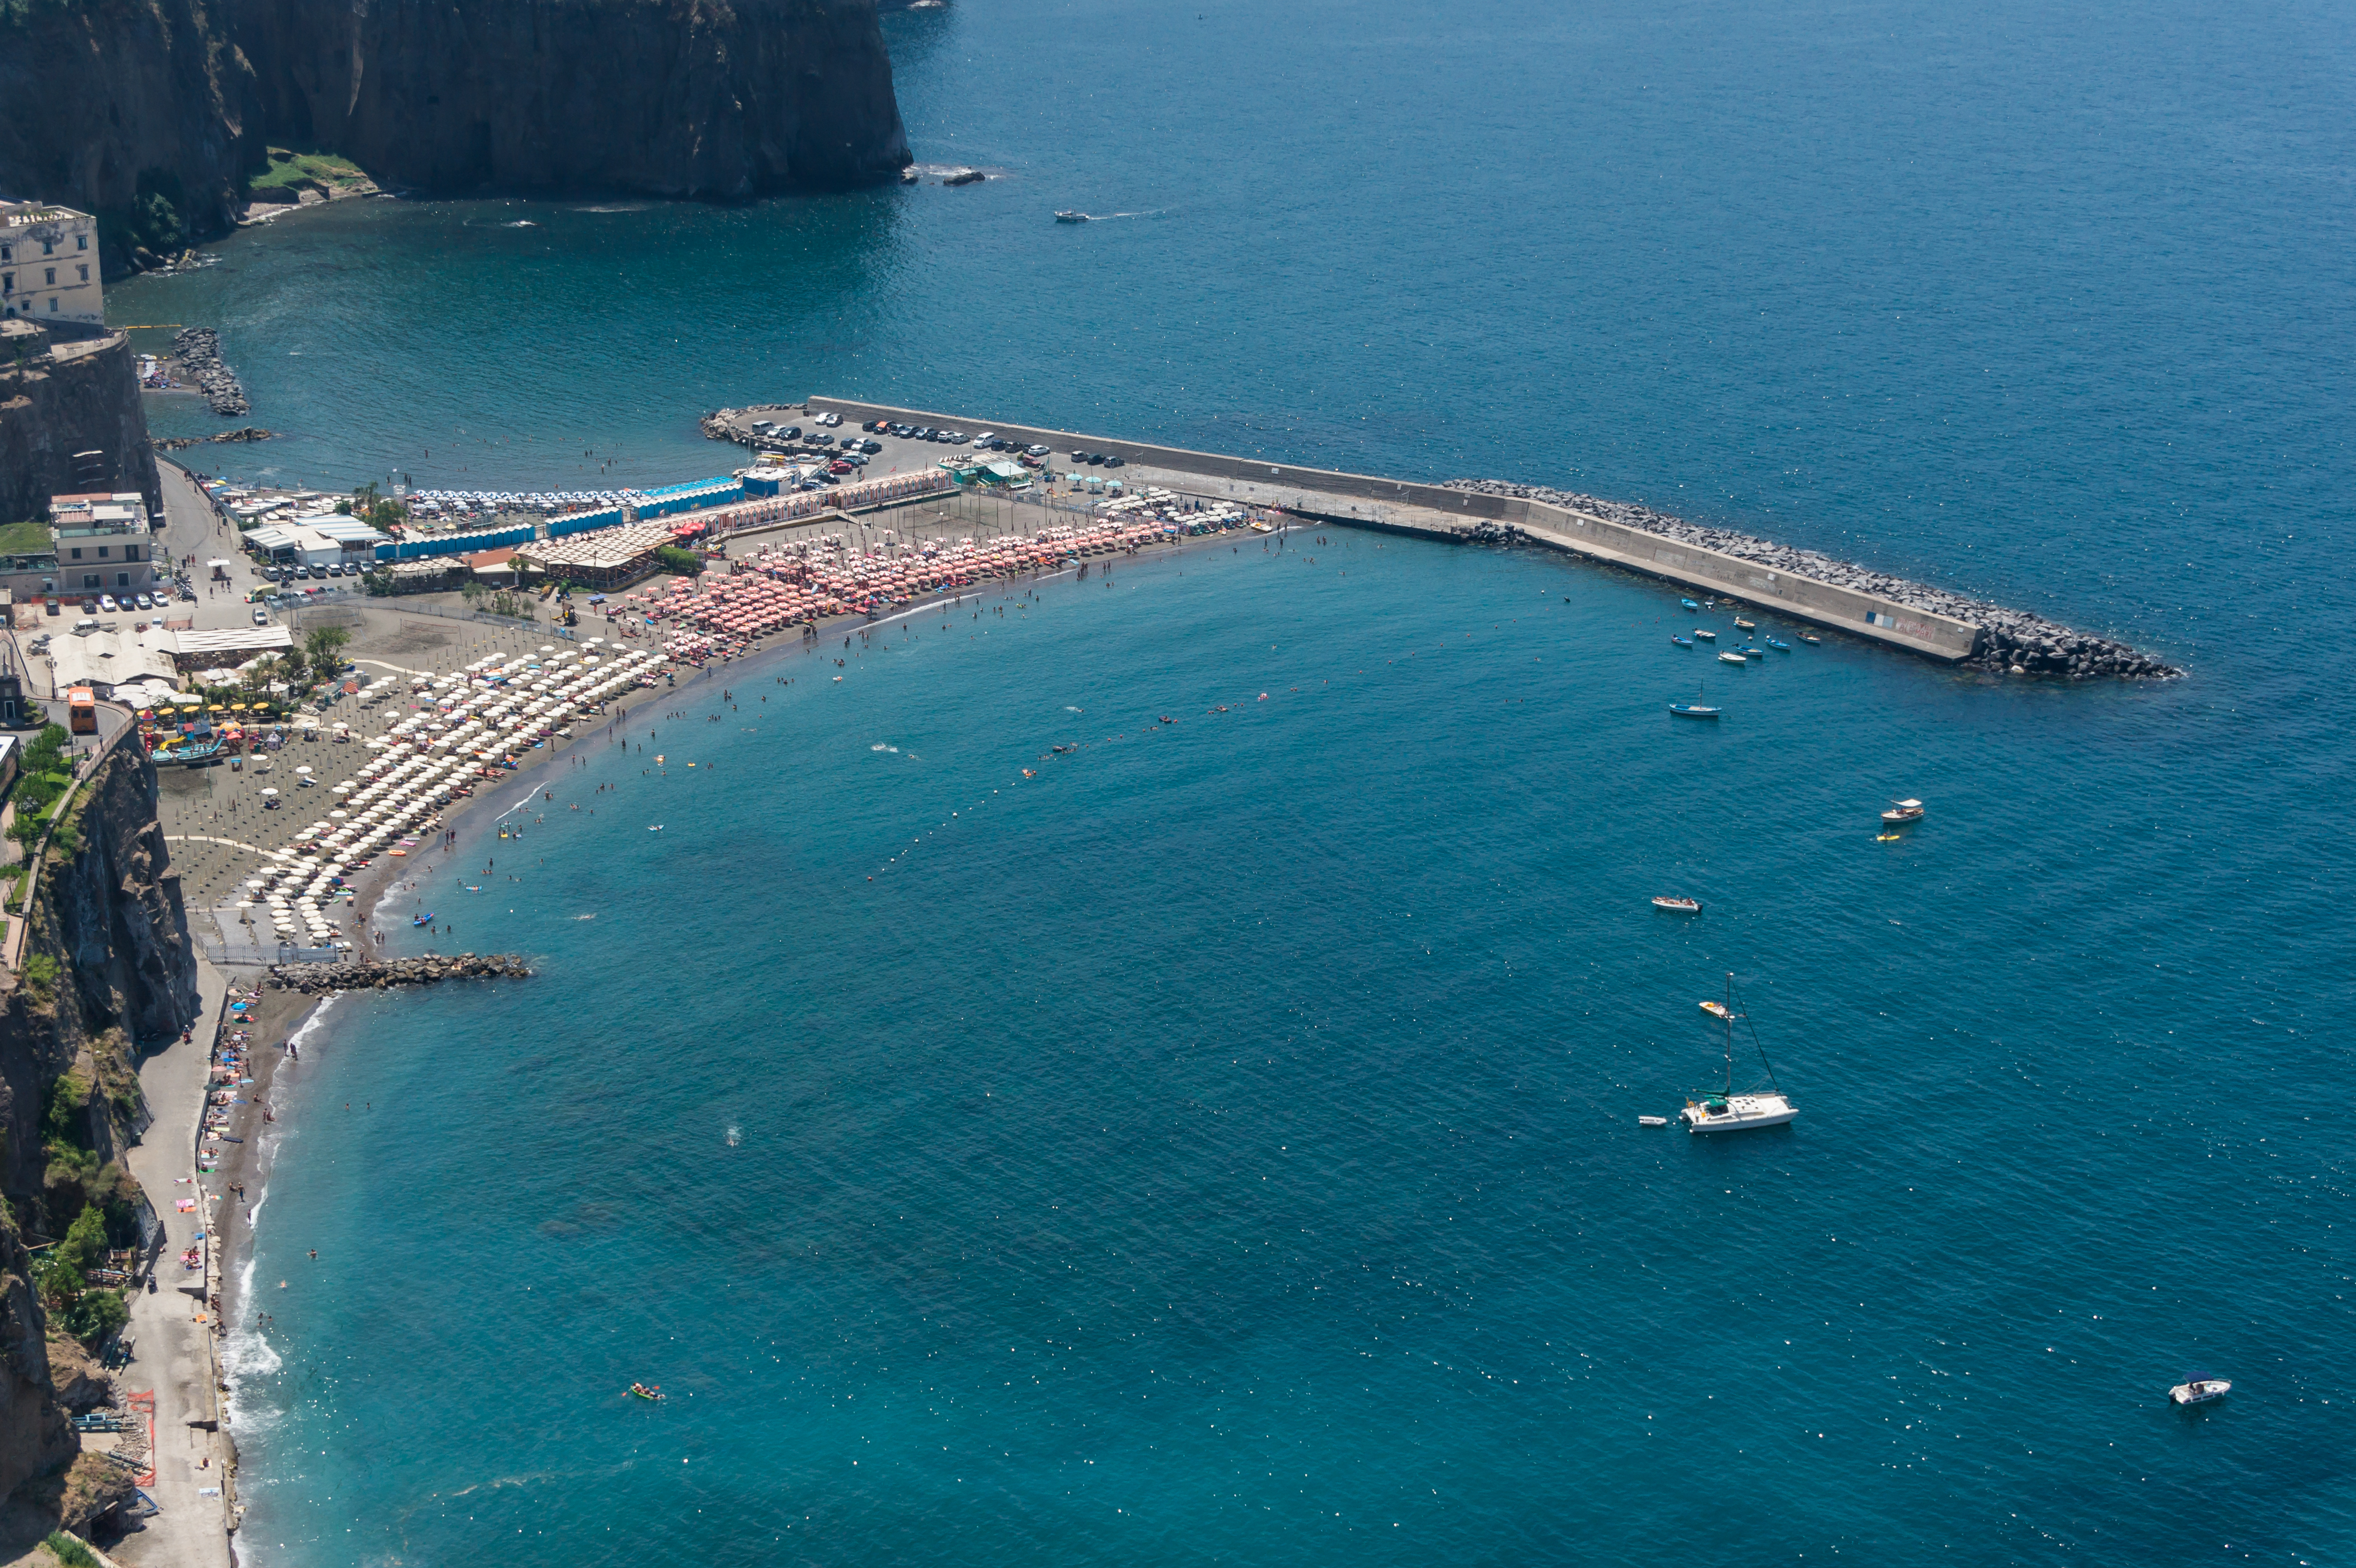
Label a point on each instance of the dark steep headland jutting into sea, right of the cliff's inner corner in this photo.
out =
(663, 98)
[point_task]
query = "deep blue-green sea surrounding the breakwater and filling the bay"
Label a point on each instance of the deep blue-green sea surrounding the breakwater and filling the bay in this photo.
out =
(1222, 1145)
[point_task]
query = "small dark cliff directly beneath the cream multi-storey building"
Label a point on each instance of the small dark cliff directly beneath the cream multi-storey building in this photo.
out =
(72, 399)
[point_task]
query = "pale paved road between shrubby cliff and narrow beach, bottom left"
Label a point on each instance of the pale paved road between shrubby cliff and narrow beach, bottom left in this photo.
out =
(173, 1350)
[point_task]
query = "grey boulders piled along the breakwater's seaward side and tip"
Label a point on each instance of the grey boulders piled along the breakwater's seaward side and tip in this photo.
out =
(2018, 642)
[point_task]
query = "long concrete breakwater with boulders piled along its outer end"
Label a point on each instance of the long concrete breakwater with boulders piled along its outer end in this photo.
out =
(1848, 599)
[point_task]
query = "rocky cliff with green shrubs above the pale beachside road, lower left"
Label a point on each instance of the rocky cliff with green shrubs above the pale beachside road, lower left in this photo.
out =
(107, 969)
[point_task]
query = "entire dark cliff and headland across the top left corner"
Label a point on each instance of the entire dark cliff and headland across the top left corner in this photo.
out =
(154, 112)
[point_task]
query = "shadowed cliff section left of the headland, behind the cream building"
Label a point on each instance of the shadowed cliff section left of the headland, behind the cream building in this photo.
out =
(117, 100)
